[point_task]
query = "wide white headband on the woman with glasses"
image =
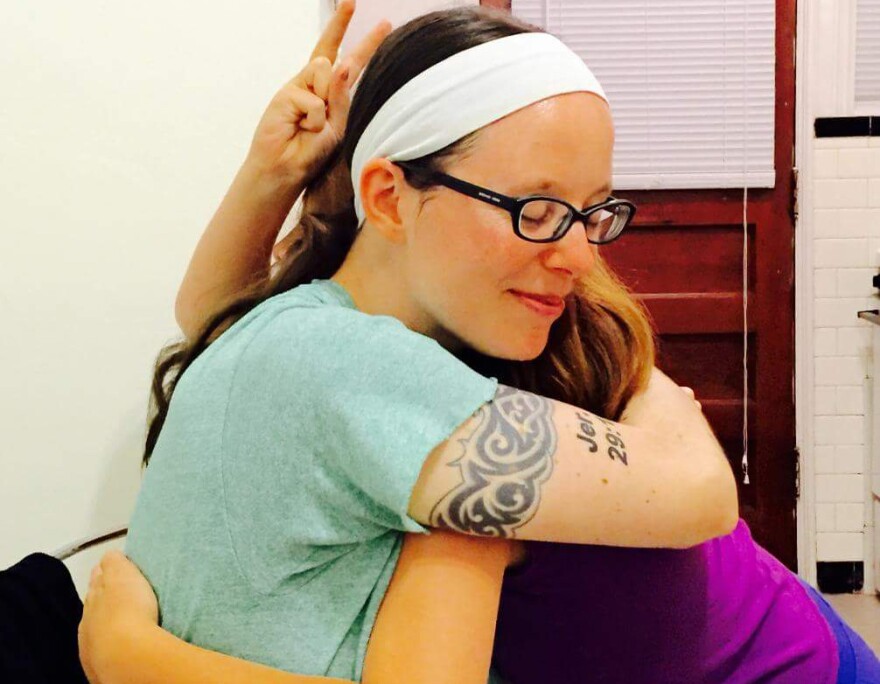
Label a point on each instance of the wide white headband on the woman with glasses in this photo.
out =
(466, 92)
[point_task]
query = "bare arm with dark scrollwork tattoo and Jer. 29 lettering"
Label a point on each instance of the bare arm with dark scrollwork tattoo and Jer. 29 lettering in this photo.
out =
(529, 467)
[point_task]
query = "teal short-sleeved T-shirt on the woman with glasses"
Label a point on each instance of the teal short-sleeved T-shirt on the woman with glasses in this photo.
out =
(272, 512)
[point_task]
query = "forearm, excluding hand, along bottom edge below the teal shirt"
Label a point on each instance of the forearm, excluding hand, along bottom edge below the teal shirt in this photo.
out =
(150, 655)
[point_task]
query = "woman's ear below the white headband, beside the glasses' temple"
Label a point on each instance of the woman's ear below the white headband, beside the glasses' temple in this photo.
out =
(382, 191)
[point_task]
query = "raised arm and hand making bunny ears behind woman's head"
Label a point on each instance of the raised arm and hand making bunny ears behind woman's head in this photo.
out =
(298, 133)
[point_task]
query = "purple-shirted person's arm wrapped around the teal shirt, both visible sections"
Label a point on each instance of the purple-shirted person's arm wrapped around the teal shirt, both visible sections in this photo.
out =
(436, 624)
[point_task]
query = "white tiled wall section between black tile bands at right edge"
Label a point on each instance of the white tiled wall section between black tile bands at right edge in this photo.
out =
(846, 233)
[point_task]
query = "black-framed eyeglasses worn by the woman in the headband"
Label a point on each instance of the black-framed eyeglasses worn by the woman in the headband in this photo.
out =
(537, 218)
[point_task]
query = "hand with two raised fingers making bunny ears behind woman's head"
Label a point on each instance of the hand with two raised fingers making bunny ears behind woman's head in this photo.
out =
(305, 121)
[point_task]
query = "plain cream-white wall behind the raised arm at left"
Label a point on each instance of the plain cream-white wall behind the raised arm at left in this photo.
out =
(121, 126)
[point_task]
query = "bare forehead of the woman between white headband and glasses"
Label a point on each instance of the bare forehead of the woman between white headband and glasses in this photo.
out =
(565, 136)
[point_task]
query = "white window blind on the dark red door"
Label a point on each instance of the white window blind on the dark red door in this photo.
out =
(691, 85)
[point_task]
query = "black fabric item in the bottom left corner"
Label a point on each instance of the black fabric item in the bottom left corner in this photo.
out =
(40, 612)
